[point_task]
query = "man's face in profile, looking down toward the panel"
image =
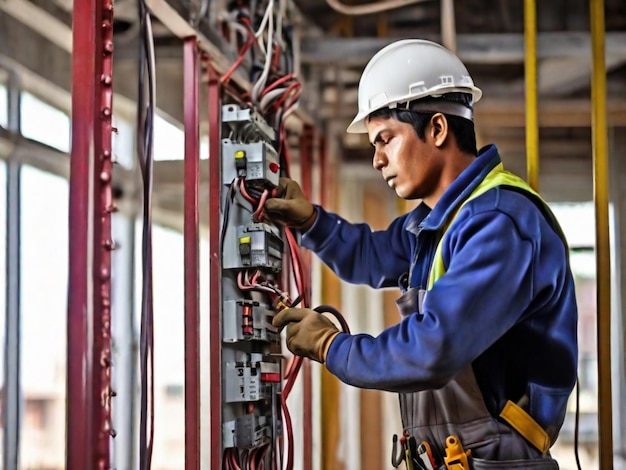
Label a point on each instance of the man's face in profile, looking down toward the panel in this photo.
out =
(409, 165)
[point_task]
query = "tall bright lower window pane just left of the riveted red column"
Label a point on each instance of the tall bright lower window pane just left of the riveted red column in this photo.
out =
(44, 259)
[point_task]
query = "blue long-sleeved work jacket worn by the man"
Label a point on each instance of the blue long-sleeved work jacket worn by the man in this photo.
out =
(506, 304)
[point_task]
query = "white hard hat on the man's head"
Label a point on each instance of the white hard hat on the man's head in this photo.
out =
(407, 70)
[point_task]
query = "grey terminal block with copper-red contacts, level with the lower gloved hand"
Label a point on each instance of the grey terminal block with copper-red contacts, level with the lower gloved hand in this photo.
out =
(247, 320)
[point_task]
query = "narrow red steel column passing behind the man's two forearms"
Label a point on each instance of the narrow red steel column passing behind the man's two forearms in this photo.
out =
(306, 171)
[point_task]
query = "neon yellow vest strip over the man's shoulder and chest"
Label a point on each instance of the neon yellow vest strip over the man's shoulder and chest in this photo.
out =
(496, 177)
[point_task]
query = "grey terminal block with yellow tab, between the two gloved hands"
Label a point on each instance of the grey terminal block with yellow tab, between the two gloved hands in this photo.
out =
(256, 246)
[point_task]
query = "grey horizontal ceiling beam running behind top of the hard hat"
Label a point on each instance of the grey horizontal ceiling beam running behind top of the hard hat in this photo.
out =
(473, 48)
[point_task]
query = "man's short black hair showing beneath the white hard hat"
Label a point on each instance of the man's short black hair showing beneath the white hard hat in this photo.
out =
(463, 129)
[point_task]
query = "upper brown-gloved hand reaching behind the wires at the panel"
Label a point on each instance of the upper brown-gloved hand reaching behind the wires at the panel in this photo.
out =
(290, 207)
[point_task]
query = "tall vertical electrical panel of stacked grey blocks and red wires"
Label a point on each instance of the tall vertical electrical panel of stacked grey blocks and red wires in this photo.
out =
(252, 251)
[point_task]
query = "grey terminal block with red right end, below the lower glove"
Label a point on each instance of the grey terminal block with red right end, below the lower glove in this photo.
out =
(250, 380)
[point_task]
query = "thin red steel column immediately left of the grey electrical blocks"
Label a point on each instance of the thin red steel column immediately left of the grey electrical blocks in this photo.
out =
(215, 269)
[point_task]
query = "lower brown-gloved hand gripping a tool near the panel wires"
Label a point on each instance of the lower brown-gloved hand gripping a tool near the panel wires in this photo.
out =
(309, 333)
